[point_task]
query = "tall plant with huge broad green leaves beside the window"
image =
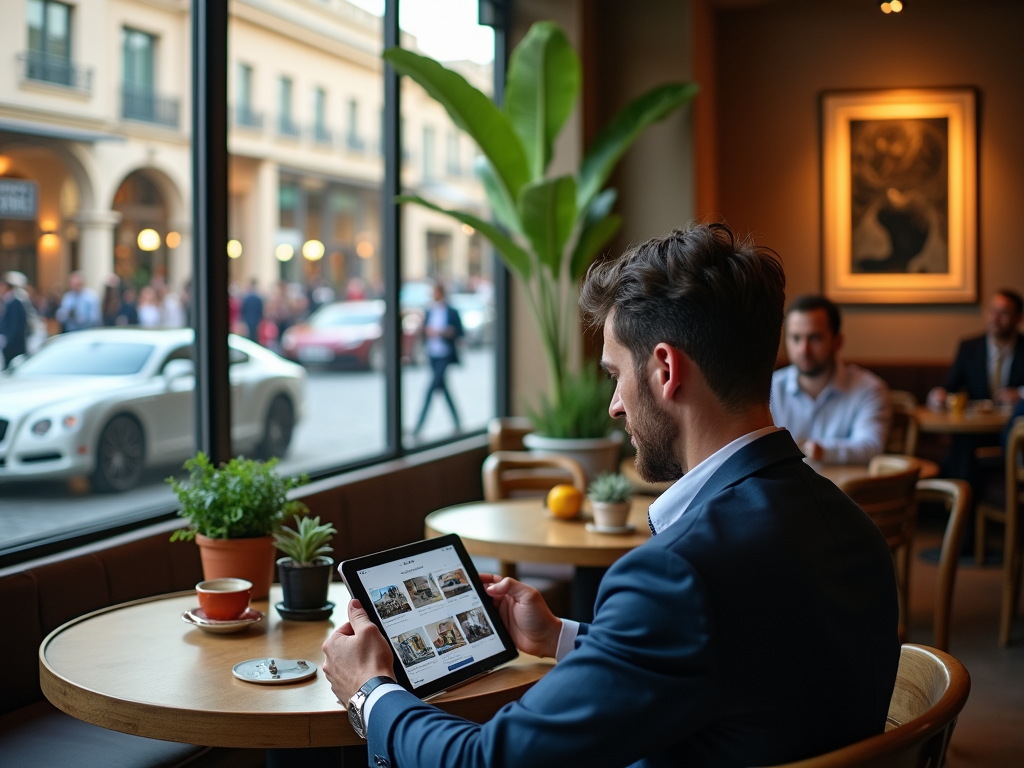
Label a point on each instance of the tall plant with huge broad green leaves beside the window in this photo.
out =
(549, 230)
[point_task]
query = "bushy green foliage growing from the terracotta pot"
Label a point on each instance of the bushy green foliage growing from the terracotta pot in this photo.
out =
(243, 499)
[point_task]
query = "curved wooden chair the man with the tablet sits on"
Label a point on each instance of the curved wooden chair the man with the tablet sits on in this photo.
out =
(931, 691)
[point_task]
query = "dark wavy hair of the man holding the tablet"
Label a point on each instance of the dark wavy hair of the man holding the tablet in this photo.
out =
(700, 290)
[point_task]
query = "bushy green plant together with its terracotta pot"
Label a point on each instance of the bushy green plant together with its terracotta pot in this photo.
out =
(233, 514)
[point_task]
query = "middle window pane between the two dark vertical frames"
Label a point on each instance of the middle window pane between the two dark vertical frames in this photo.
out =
(308, 278)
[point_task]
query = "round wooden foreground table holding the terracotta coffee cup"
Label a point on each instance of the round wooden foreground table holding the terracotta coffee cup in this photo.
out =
(139, 669)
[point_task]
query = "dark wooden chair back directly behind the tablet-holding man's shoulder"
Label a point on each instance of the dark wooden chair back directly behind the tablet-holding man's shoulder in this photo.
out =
(890, 500)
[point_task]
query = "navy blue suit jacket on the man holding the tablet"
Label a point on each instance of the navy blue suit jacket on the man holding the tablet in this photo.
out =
(760, 628)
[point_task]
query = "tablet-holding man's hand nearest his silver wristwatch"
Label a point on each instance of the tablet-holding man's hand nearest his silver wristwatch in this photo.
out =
(356, 653)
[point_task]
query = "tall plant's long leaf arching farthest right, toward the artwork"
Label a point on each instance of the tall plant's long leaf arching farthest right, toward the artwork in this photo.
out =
(635, 118)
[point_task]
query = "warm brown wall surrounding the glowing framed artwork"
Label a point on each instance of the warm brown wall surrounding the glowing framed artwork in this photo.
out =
(774, 62)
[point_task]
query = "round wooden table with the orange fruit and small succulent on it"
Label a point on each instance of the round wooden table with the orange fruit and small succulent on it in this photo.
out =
(523, 531)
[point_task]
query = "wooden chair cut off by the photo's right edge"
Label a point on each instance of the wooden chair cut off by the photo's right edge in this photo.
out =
(1010, 518)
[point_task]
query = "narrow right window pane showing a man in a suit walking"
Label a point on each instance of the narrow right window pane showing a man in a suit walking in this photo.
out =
(450, 386)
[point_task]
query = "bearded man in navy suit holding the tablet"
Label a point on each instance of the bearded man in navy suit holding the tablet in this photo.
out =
(708, 642)
